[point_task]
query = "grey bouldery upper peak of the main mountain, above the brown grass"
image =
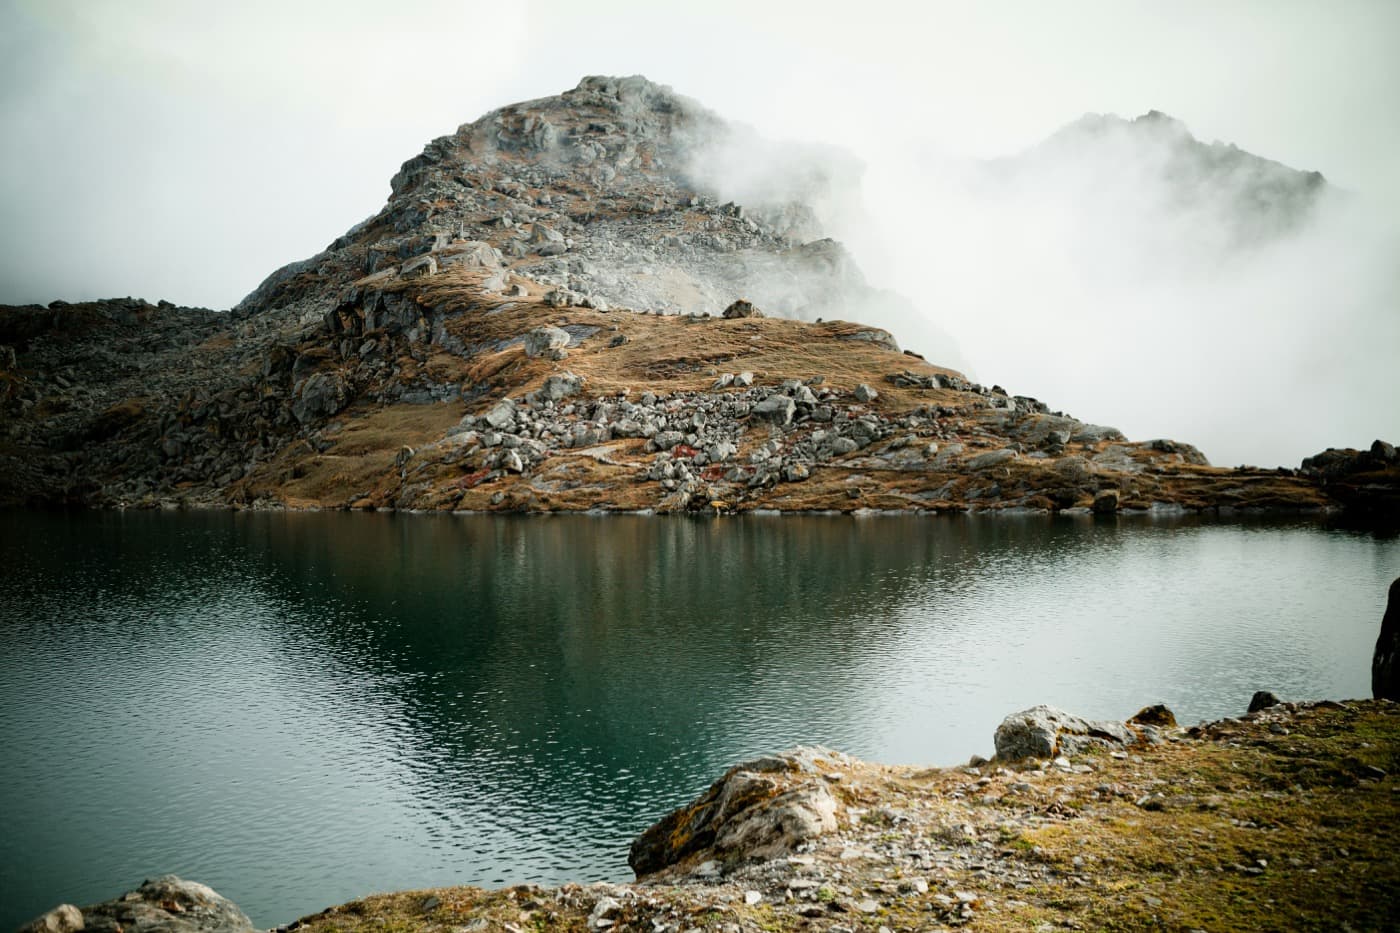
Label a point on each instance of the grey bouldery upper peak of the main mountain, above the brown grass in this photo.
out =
(607, 195)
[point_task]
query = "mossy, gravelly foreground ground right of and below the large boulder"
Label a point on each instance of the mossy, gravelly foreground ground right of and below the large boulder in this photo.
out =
(1280, 822)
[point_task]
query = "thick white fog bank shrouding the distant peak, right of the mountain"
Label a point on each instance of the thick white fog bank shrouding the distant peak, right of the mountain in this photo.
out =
(1133, 275)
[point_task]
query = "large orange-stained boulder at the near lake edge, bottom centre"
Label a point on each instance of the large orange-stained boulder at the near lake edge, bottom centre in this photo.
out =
(759, 809)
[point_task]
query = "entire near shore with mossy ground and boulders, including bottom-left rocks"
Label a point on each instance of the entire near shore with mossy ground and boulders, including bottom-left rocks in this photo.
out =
(1273, 820)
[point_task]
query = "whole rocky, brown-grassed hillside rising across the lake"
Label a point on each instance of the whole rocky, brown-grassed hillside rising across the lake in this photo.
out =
(555, 313)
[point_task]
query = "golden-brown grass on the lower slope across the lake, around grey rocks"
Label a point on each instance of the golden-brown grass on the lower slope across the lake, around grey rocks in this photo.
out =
(664, 355)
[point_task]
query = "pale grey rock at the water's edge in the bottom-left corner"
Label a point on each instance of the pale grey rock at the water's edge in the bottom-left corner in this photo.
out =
(163, 906)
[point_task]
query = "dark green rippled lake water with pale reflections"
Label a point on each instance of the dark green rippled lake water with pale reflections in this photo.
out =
(299, 710)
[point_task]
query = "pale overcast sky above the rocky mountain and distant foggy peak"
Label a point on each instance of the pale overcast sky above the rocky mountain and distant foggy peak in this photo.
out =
(183, 151)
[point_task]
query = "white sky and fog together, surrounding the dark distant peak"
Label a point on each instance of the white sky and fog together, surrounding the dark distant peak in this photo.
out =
(183, 152)
